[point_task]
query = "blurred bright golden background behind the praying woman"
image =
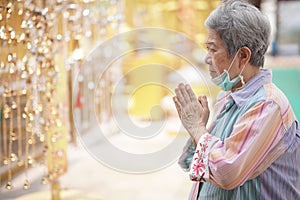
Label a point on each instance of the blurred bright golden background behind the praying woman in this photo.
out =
(70, 66)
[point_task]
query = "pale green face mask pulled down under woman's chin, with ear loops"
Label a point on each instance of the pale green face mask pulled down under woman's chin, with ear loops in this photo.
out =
(223, 80)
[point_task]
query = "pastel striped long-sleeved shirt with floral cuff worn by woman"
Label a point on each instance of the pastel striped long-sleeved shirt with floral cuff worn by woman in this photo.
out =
(252, 148)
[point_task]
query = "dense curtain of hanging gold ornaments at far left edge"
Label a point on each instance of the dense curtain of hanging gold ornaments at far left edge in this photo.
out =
(28, 77)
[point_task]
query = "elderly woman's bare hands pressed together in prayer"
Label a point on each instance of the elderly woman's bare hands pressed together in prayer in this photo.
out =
(192, 112)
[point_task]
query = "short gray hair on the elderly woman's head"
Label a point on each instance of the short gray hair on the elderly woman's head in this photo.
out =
(241, 24)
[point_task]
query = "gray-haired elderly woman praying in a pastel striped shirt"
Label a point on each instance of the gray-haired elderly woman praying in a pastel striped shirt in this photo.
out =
(251, 149)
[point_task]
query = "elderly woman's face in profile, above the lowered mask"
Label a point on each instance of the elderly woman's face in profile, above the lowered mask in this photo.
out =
(217, 58)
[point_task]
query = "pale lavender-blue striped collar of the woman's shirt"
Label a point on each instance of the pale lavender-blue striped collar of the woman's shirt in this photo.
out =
(241, 96)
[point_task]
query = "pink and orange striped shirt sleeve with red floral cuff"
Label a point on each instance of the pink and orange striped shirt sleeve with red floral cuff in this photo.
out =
(231, 162)
